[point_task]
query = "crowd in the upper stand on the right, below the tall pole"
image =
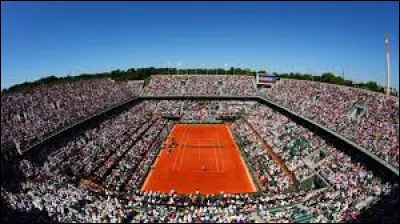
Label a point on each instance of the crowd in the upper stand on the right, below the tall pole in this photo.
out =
(374, 126)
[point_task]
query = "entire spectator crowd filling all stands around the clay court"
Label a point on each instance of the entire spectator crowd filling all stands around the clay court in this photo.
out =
(118, 152)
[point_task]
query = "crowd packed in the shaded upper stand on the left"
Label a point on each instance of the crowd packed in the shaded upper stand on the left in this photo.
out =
(30, 116)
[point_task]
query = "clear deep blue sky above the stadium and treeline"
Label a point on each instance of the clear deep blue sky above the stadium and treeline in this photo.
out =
(59, 38)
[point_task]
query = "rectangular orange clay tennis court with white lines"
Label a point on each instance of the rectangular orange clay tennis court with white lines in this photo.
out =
(205, 159)
